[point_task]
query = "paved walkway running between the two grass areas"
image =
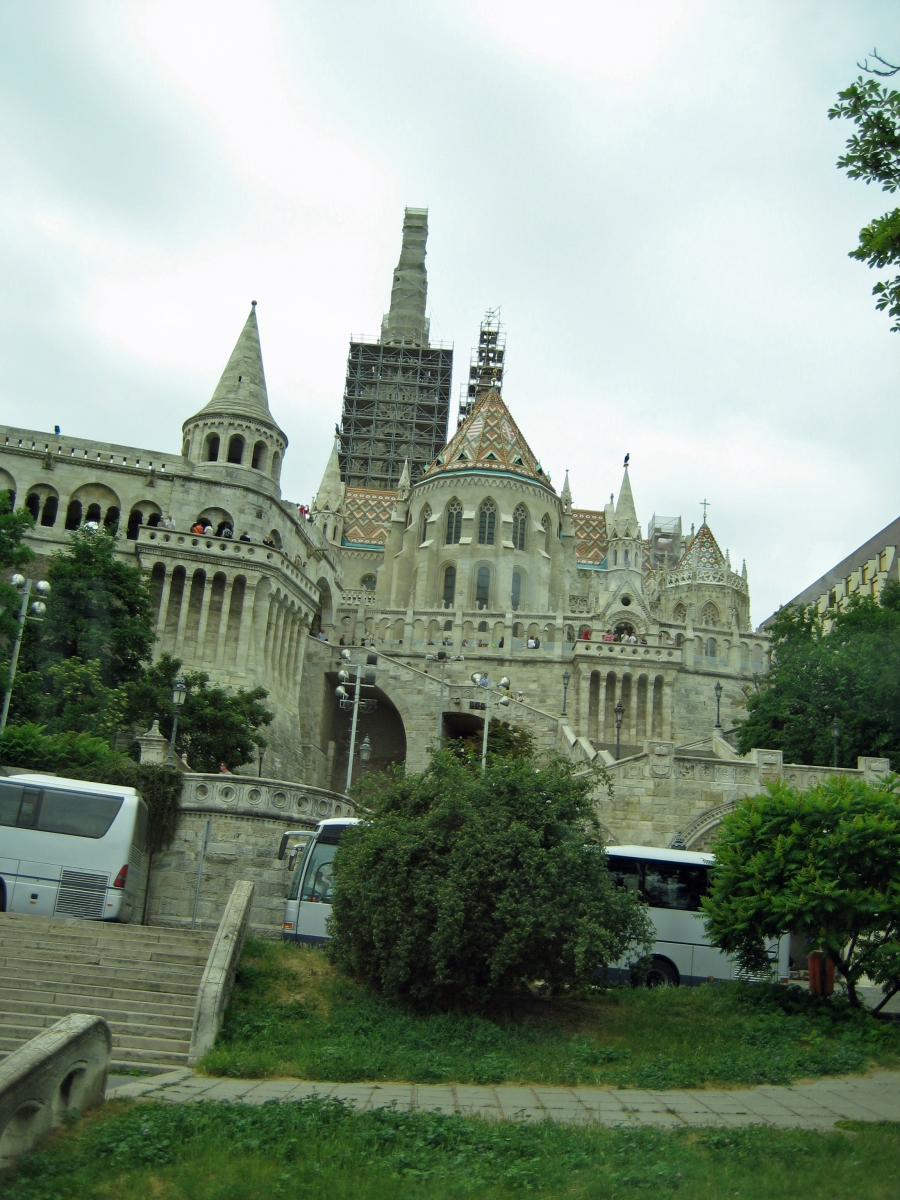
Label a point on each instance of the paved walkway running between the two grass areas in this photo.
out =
(814, 1106)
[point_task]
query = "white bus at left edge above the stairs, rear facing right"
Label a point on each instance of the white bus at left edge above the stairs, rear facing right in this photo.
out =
(73, 849)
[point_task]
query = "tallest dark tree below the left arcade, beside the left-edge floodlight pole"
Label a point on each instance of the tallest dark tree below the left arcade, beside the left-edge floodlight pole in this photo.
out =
(101, 610)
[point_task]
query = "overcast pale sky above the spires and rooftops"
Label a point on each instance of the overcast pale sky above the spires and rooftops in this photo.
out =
(647, 190)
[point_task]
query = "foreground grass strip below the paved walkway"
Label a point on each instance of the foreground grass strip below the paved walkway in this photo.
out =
(323, 1149)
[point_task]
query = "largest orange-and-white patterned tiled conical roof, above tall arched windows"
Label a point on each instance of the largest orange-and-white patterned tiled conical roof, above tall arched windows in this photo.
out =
(489, 441)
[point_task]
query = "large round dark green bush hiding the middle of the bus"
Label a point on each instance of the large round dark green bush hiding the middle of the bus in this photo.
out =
(461, 886)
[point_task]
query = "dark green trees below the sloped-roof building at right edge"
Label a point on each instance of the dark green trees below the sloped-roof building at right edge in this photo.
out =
(851, 671)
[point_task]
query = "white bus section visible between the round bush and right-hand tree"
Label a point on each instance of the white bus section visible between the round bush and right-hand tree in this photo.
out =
(673, 884)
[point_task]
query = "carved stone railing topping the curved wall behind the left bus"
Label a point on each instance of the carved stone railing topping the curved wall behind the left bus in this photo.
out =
(250, 797)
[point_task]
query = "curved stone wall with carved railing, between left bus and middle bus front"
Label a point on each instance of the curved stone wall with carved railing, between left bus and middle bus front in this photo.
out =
(248, 819)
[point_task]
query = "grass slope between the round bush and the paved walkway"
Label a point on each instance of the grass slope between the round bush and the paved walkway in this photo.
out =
(292, 1013)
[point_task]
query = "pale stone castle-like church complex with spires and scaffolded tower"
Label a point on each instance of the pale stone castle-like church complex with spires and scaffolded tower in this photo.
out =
(614, 627)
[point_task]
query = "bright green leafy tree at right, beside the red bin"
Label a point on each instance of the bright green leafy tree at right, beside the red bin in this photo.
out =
(820, 863)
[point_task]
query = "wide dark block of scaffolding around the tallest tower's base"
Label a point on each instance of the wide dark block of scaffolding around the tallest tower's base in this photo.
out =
(397, 405)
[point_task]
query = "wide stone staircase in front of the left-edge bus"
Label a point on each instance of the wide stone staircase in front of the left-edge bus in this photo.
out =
(143, 980)
